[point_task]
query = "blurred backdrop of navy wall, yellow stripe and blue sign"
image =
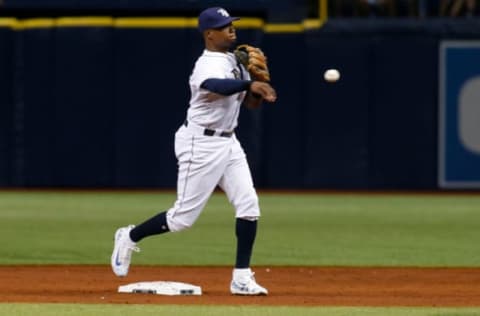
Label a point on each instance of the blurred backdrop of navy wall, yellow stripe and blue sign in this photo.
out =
(92, 92)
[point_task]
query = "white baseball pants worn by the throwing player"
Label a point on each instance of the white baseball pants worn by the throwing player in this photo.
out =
(203, 163)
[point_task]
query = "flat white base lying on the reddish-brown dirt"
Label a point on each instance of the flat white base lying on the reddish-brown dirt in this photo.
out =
(161, 288)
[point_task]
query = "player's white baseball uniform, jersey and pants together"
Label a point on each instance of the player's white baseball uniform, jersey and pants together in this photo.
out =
(215, 157)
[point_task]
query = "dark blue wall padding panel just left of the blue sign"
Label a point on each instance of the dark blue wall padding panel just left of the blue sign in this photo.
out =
(403, 116)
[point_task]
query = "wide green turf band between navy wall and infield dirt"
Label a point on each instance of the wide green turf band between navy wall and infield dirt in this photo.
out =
(308, 229)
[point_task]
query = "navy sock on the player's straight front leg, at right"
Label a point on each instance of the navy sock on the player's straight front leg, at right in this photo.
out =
(246, 232)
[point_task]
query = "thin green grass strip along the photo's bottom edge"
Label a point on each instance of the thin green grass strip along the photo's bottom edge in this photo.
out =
(175, 310)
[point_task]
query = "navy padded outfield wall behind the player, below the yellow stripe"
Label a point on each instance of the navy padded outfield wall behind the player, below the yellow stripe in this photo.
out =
(98, 106)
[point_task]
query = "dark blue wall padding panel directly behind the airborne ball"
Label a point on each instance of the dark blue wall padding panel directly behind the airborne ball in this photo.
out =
(336, 129)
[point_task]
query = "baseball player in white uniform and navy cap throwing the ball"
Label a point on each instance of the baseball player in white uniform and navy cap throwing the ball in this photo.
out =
(208, 152)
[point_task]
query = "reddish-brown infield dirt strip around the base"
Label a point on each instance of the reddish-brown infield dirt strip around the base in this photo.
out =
(306, 286)
